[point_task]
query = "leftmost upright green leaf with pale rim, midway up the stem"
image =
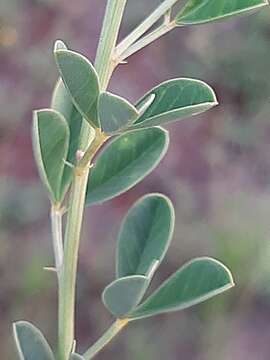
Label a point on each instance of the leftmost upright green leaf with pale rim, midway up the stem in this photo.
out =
(50, 145)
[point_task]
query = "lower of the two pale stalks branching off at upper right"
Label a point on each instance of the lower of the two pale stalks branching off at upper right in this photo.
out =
(148, 39)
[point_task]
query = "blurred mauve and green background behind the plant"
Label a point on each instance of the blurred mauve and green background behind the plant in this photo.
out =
(217, 173)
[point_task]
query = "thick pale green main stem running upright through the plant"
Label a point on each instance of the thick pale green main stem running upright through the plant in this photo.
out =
(67, 278)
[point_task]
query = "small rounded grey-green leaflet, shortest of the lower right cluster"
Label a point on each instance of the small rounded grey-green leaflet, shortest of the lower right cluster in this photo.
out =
(123, 295)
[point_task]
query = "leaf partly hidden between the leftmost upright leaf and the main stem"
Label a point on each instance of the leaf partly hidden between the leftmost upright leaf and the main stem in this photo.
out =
(61, 102)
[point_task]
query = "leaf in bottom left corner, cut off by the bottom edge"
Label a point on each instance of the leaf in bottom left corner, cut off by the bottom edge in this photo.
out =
(30, 342)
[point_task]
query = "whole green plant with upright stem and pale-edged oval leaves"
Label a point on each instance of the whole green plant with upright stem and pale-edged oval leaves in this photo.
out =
(67, 137)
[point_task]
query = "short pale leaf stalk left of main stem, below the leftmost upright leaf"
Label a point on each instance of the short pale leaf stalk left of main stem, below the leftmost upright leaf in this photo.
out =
(56, 221)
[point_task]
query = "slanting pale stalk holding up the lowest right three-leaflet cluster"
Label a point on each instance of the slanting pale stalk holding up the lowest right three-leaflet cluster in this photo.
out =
(116, 327)
